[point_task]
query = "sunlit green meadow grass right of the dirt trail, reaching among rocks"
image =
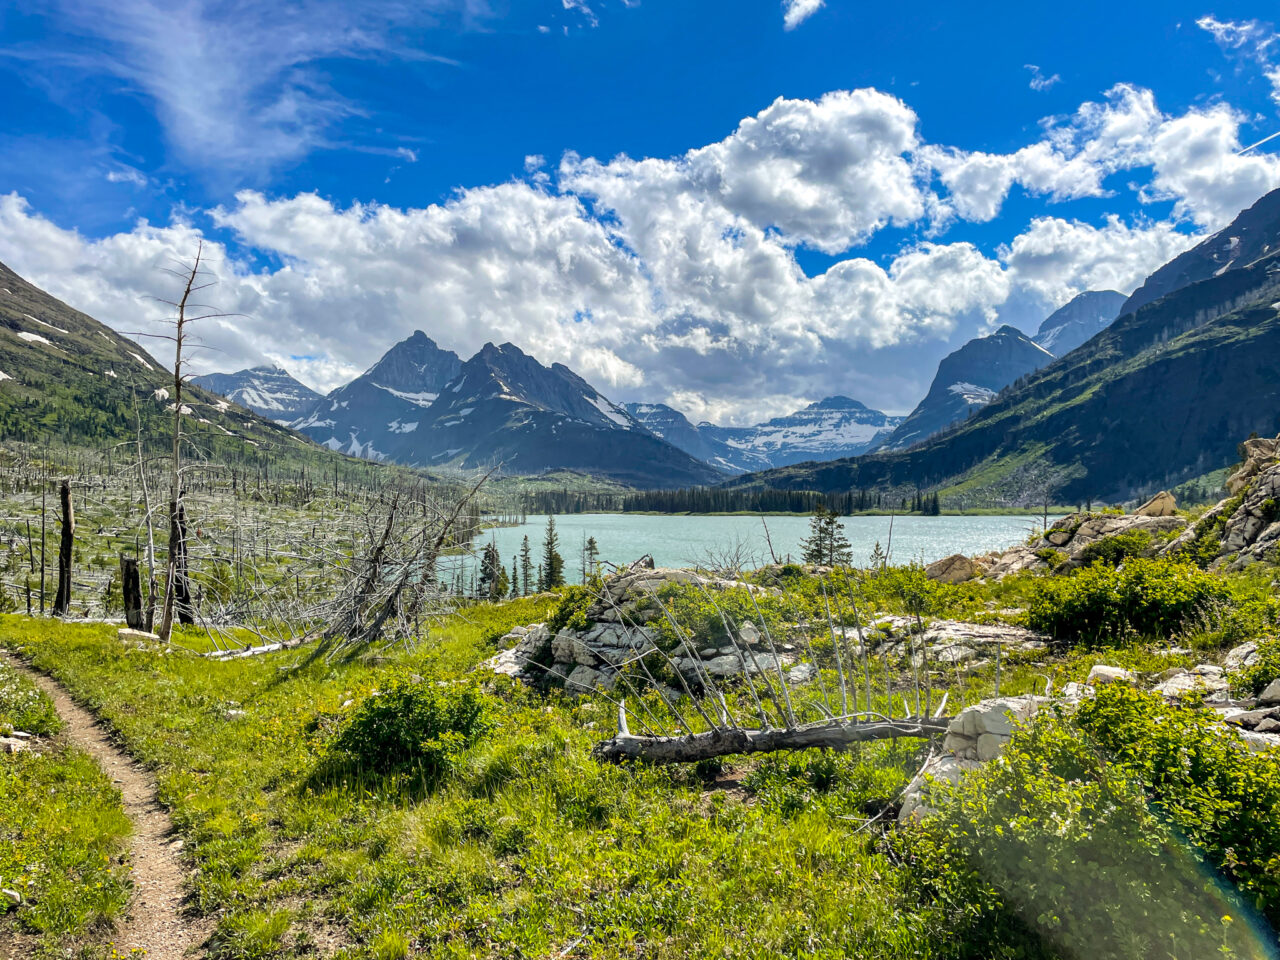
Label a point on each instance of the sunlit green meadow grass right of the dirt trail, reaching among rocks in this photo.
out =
(525, 845)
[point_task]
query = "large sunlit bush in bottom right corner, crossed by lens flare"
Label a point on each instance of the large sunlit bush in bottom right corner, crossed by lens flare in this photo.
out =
(1054, 852)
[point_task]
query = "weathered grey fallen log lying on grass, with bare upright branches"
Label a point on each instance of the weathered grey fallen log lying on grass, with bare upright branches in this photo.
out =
(721, 743)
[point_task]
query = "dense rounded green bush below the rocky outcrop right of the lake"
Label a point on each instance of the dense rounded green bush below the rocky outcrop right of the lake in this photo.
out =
(1101, 606)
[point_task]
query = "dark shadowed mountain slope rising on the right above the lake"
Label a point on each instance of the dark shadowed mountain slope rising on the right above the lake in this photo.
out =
(1164, 394)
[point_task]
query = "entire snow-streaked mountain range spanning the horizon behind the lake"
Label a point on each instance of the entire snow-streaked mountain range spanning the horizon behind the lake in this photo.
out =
(1092, 406)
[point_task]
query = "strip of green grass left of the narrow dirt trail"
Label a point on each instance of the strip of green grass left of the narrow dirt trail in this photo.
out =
(62, 833)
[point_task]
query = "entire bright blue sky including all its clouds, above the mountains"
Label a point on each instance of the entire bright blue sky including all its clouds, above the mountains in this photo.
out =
(734, 207)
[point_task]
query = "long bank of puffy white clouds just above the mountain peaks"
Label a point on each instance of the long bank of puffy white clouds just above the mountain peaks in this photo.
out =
(678, 278)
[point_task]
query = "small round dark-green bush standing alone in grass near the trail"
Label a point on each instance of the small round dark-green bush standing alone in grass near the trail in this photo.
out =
(414, 725)
